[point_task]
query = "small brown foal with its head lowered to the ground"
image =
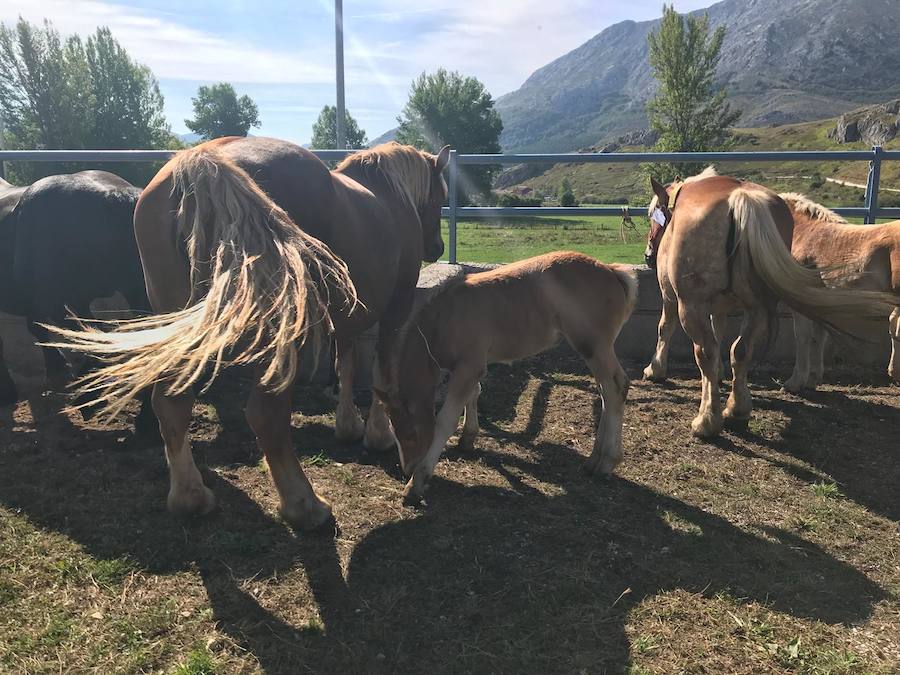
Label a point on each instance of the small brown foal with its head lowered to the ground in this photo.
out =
(504, 315)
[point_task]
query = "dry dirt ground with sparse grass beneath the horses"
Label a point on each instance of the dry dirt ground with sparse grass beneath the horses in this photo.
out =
(774, 549)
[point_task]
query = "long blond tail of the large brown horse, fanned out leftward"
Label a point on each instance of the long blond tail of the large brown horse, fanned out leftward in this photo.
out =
(265, 288)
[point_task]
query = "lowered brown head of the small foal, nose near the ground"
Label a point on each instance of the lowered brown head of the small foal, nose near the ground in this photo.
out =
(410, 398)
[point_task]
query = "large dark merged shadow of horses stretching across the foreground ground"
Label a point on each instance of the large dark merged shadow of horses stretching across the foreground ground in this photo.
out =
(490, 578)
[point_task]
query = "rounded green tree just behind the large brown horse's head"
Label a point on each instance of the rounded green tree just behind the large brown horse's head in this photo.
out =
(446, 108)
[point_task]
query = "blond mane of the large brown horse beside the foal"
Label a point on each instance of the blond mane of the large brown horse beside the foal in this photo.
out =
(406, 170)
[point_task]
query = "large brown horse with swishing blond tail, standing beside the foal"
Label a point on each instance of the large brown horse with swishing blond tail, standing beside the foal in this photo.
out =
(250, 247)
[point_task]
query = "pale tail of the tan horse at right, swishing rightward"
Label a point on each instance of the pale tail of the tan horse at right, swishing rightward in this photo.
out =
(758, 244)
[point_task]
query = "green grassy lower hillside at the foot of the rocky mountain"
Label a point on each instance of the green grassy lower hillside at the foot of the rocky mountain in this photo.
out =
(609, 183)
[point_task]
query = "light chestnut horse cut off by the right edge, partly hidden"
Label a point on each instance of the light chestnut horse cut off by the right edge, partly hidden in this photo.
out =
(867, 257)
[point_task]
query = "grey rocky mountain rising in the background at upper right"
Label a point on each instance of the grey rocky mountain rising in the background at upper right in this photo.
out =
(783, 61)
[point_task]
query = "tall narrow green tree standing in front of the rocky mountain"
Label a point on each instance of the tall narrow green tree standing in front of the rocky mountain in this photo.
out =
(688, 111)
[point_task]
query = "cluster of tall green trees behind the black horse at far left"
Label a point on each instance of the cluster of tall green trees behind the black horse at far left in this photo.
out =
(63, 94)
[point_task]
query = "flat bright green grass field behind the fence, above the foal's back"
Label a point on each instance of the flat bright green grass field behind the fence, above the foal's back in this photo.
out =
(508, 240)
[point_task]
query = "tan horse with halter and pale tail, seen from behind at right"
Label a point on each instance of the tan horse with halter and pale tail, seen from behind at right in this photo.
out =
(718, 244)
